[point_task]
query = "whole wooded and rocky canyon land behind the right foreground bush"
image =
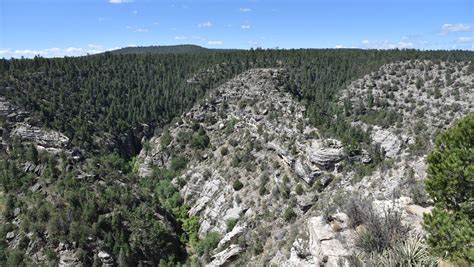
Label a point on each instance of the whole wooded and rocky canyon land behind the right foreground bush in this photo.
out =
(237, 158)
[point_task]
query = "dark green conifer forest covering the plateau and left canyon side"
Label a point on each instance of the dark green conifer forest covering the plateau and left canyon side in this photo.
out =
(99, 202)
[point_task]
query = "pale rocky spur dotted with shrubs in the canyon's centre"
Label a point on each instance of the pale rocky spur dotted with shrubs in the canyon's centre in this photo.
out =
(257, 137)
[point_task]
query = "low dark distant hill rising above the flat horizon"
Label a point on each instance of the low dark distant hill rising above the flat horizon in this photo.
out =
(169, 49)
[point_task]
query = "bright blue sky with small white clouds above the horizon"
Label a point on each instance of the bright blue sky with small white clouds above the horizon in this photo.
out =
(55, 28)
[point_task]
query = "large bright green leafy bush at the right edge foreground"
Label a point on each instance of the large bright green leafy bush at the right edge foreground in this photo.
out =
(449, 184)
